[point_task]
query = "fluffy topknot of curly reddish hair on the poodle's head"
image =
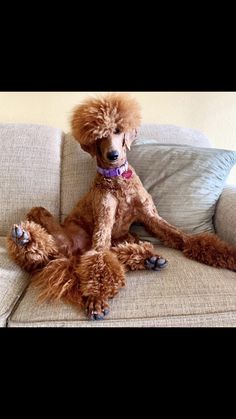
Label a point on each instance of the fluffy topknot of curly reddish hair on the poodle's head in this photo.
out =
(98, 117)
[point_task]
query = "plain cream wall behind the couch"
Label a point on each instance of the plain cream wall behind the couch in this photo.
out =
(213, 113)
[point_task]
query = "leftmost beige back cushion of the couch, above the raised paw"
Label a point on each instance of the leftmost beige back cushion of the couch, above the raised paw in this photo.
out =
(30, 158)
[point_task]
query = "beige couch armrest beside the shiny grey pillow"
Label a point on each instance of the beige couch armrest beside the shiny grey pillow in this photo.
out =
(225, 215)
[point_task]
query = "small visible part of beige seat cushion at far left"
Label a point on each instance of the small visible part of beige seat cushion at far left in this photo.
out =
(13, 282)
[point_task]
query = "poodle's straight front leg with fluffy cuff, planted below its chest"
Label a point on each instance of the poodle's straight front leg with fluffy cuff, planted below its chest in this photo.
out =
(100, 272)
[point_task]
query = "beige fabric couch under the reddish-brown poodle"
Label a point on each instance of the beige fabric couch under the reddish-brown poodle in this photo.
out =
(40, 165)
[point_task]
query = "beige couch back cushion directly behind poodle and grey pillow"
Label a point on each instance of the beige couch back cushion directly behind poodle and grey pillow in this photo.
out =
(79, 169)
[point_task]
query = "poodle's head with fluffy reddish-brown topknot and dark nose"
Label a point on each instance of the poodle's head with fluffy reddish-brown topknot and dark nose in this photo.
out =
(105, 126)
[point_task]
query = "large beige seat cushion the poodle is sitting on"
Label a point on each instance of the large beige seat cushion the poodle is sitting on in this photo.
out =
(187, 294)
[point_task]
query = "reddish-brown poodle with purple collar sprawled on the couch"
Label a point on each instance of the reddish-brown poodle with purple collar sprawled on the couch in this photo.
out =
(84, 259)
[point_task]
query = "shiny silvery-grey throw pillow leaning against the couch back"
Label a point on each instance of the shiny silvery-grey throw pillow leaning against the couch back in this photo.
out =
(185, 182)
